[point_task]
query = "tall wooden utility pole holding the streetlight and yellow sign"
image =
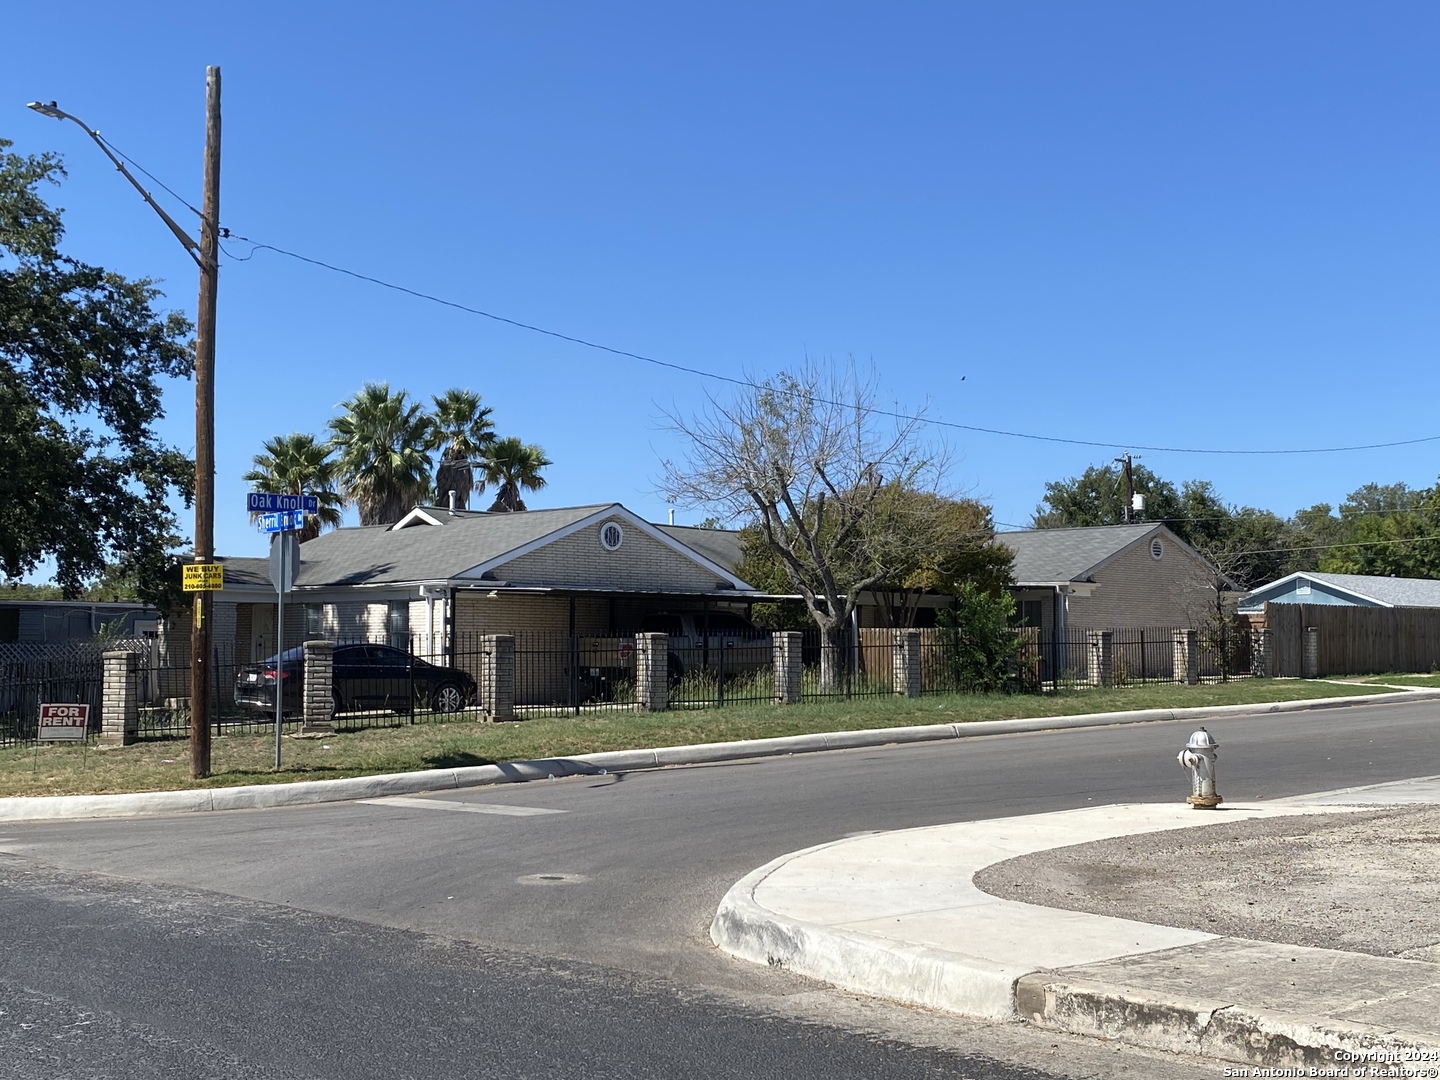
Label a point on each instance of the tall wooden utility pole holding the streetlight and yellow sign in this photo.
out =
(201, 656)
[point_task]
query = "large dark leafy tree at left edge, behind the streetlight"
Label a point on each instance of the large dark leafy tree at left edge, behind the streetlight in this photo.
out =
(83, 351)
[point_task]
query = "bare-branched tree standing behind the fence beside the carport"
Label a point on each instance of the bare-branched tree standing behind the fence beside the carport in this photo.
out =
(810, 459)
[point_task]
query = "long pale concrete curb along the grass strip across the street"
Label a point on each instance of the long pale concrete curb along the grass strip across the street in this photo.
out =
(309, 793)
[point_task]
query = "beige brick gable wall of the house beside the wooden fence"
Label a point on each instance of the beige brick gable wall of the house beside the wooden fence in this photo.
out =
(1137, 590)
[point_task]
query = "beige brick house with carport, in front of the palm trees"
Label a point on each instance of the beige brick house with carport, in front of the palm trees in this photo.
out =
(440, 577)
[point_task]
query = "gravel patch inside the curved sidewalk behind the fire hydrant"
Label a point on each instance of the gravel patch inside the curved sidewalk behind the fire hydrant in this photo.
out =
(1366, 882)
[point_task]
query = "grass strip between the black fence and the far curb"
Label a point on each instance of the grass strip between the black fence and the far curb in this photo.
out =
(57, 770)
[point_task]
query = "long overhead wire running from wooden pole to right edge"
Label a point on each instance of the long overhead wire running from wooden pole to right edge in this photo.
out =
(747, 384)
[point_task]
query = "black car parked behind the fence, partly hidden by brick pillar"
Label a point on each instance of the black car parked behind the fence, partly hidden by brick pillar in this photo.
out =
(365, 678)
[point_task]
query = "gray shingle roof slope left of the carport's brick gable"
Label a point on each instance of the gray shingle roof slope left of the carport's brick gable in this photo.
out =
(377, 555)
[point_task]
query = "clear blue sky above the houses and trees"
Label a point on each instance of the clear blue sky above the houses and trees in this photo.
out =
(1176, 225)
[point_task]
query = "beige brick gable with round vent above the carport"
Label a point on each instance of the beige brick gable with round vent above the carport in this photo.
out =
(580, 559)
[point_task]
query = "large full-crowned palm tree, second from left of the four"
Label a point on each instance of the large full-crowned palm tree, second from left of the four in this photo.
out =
(384, 443)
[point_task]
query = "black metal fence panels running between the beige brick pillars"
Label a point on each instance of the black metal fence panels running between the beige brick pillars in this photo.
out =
(567, 675)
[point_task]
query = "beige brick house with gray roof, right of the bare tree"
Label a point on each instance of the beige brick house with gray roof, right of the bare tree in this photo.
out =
(1111, 577)
